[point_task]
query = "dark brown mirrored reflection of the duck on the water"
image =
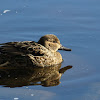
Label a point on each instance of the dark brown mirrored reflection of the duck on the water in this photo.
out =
(18, 77)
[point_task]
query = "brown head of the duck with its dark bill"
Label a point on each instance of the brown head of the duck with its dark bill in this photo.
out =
(52, 43)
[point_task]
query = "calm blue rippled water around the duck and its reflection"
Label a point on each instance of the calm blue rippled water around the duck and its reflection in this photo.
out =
(77, 24)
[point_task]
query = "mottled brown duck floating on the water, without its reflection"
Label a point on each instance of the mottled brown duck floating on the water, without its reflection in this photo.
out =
(43, 53)
